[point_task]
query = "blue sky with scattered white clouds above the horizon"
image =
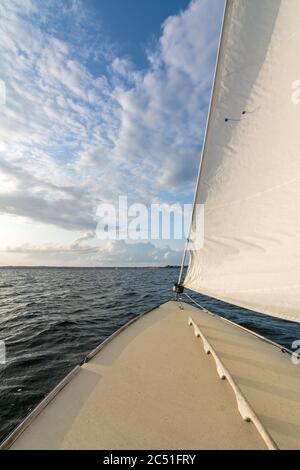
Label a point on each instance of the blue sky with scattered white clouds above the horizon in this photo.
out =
(104, 98)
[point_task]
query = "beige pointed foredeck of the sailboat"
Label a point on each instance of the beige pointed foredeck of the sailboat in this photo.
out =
(153, 387)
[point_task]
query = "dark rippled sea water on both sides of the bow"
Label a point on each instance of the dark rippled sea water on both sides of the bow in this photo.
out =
(50, 318)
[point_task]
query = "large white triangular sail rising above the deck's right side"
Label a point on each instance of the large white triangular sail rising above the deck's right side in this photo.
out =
(250, 173)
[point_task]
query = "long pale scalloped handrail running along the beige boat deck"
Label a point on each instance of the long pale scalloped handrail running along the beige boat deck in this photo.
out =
(244, 407)
